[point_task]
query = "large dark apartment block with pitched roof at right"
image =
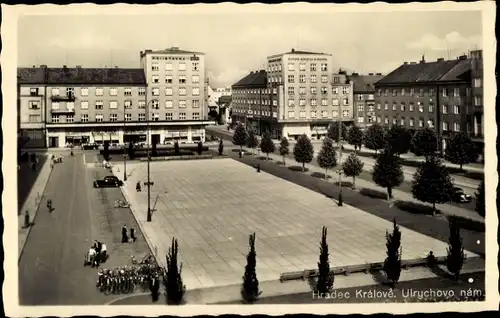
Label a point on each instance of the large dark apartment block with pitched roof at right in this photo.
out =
(427, 94)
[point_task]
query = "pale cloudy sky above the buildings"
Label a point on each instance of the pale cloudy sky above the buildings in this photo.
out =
(238, 43)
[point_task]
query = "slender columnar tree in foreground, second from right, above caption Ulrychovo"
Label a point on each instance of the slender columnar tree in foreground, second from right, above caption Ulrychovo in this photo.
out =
(392, 263)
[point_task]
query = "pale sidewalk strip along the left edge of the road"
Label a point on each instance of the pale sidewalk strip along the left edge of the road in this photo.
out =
(32, 203)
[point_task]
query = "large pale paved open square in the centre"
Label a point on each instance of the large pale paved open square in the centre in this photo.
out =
(211, 207)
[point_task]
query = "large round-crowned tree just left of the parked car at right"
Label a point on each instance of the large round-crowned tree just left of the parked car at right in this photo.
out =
(432, 183)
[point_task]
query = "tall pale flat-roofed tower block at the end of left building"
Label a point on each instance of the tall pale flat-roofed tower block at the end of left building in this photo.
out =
(176, 94)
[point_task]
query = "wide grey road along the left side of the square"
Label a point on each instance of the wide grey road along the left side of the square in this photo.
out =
(51, 268)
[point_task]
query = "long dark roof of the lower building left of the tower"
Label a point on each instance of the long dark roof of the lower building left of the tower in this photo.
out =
(81, 76)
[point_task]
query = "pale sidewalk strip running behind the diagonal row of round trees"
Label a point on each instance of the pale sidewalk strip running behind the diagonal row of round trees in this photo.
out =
(446, 209)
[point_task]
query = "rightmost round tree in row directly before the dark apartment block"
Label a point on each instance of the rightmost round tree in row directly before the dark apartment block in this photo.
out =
(460, 150)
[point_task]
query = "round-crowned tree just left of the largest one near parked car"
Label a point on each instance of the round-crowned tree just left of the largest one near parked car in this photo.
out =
(388, 171)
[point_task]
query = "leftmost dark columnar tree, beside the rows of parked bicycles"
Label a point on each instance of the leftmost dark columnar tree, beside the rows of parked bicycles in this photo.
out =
(172, 279)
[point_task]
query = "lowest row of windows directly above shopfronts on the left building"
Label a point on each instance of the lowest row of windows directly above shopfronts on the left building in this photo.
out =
(114, 117)
